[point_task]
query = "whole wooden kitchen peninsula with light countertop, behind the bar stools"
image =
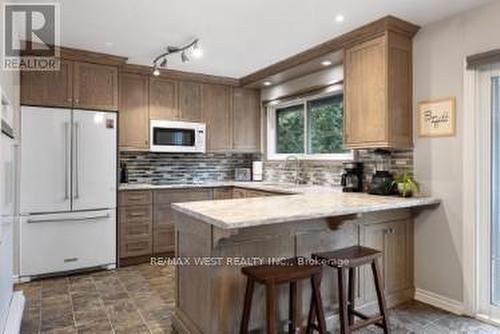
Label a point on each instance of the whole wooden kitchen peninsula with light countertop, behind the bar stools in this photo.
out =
(219, 237)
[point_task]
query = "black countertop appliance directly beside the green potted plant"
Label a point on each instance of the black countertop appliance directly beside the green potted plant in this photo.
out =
(382, 180)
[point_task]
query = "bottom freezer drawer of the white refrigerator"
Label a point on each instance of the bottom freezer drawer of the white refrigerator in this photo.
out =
(70, 241)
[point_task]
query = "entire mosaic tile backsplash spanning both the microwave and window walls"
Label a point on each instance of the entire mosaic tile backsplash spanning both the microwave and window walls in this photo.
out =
(168, 168)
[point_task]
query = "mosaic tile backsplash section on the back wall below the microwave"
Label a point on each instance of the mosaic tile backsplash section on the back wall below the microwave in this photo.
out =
(171, 168)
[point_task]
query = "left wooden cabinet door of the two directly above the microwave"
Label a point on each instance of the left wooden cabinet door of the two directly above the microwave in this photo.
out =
(163, 99)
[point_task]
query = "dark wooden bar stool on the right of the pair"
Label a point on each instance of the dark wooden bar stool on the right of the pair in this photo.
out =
(346, 261)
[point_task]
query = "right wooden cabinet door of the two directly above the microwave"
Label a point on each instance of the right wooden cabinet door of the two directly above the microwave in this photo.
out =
(190, 101)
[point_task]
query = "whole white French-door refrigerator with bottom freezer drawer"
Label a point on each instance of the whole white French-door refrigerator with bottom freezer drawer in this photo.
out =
(67, 190)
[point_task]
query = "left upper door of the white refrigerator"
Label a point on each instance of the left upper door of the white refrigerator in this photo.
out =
(45, 160)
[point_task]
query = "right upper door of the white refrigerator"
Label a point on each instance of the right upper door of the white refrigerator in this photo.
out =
(94, 160)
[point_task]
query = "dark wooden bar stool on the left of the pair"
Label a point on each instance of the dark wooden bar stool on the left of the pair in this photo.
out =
(288, 273)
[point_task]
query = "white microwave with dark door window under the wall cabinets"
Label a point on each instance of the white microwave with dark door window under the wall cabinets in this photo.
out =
(172, 136)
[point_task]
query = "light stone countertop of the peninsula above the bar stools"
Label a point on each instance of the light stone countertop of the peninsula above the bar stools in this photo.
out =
(258, 211)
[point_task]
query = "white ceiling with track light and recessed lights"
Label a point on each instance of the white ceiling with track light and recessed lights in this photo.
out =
(238, 36)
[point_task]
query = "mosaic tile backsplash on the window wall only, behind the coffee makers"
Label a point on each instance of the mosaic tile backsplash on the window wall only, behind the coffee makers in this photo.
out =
(330, 172)
